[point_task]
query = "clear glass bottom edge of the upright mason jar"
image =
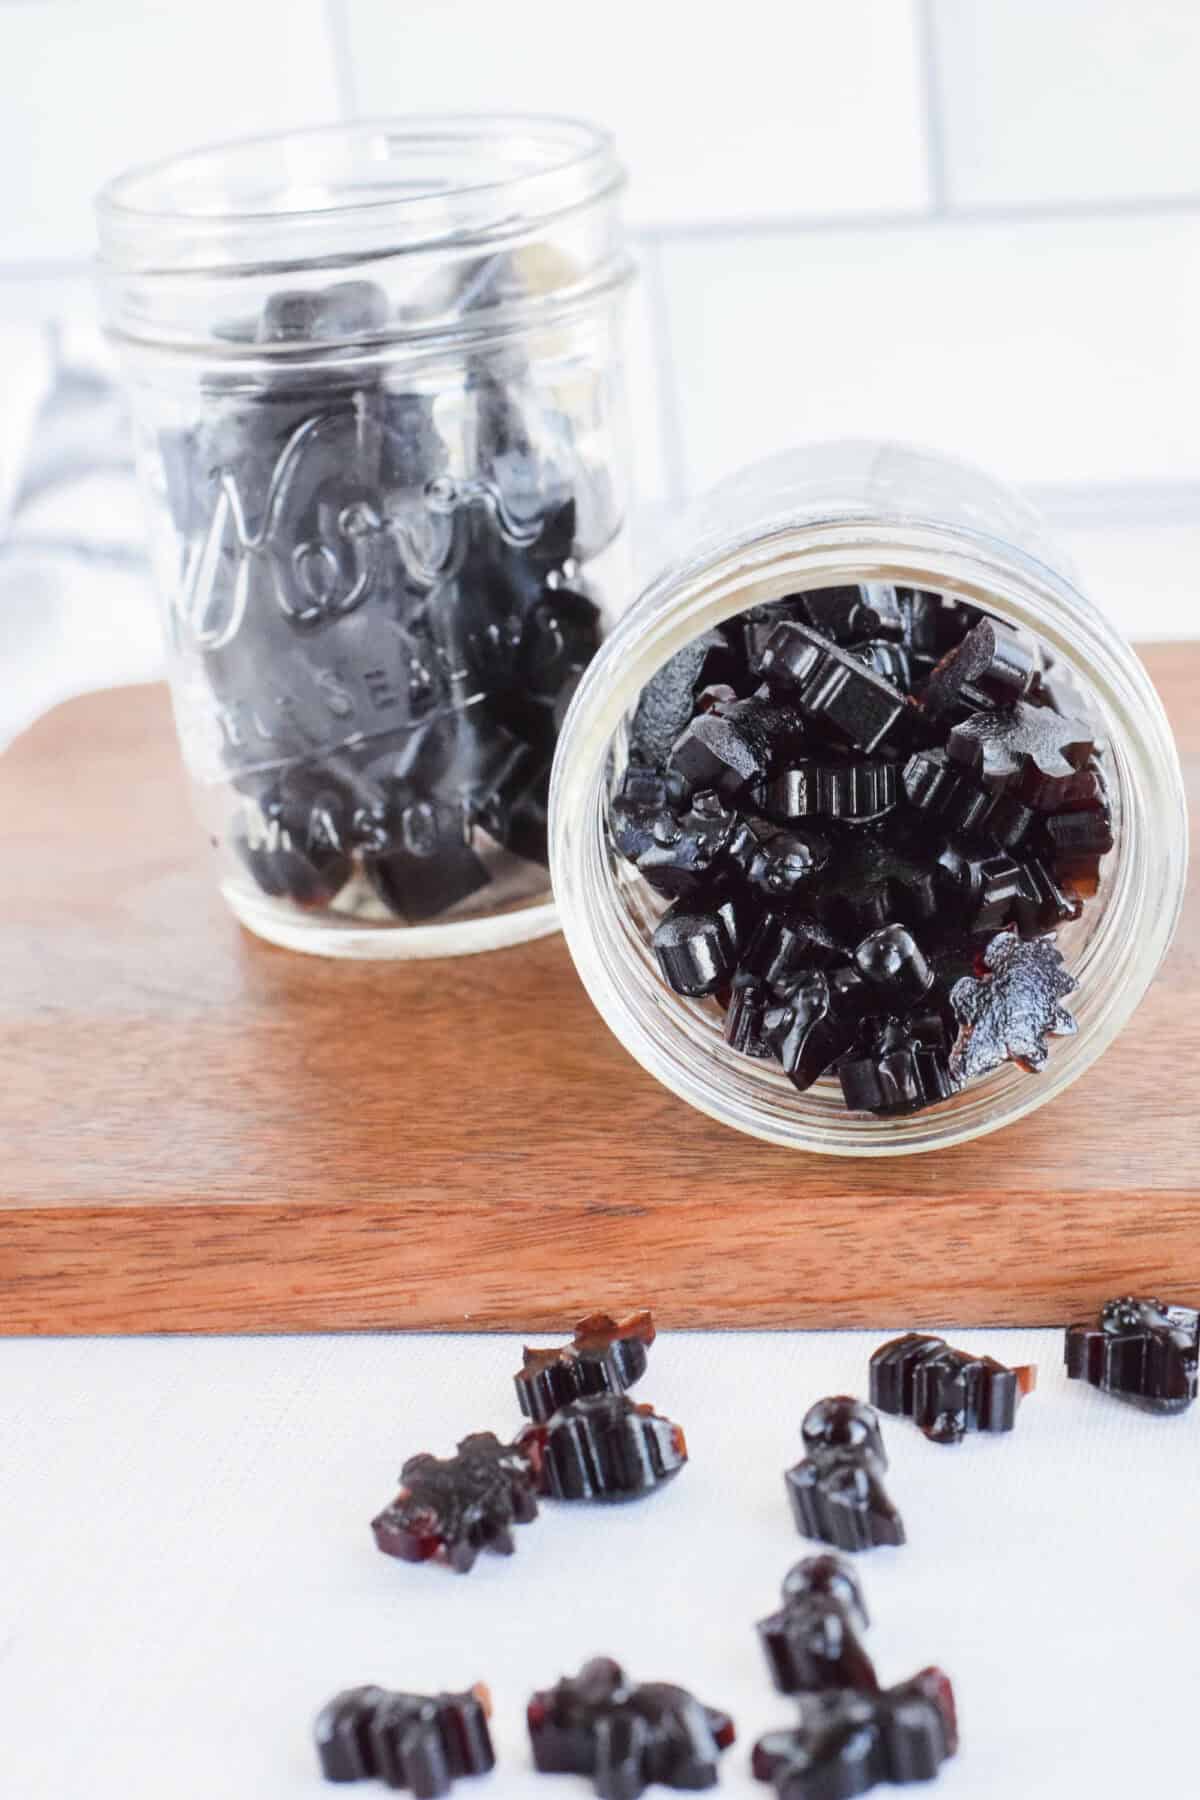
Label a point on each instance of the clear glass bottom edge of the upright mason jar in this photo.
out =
(388, 944)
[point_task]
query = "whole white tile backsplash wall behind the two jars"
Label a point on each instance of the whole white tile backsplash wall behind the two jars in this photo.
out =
(837, 213)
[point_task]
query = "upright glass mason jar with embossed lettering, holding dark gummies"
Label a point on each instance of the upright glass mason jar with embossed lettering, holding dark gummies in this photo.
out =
(379, 400)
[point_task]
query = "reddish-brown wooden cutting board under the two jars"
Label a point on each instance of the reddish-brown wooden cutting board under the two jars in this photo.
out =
(204, 1133)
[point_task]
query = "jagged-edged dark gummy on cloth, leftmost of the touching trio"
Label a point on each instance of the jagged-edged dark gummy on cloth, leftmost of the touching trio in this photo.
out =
(460, 1506)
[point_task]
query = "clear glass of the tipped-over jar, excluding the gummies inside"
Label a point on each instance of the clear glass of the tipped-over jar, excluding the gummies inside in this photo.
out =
(839, 516)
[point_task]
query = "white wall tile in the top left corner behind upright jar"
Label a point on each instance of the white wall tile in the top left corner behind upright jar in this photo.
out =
(87, 89)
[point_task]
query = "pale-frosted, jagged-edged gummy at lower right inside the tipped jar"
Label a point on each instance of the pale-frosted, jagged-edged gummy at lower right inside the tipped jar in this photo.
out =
(1010, 1011)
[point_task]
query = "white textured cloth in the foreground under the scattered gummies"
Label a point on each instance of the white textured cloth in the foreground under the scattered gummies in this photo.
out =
(190, 1574)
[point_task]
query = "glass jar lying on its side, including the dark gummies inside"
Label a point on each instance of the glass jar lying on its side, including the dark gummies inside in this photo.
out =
(965, 872)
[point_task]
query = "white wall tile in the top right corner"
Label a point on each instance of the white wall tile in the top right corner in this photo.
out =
(1068, 100)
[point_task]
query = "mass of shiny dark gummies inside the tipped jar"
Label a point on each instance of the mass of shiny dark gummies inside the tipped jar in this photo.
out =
(868, 822)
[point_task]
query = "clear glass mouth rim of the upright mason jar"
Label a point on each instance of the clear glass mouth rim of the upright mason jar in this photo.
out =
(391, 184)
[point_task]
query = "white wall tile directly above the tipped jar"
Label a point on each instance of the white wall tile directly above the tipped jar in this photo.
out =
(1046, 352)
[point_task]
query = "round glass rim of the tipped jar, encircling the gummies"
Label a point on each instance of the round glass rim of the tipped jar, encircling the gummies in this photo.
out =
(607, 910)
